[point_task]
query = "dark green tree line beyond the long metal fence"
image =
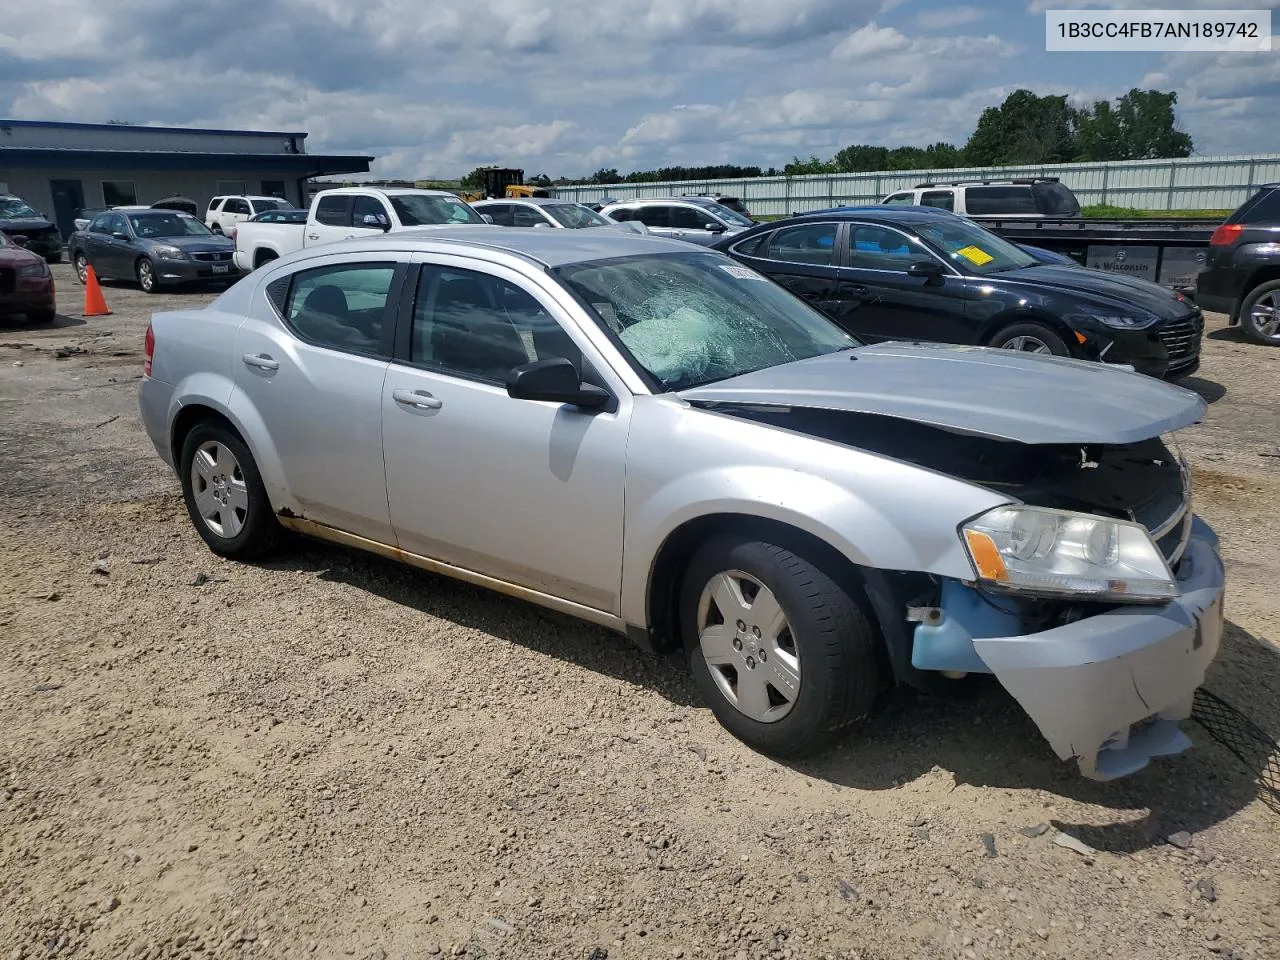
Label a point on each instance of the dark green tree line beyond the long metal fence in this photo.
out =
(1025, 130)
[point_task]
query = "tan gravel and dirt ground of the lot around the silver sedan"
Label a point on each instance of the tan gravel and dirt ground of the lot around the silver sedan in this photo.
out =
(328, 756)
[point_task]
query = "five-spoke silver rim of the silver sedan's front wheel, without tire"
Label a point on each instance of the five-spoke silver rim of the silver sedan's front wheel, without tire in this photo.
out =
(746, 638)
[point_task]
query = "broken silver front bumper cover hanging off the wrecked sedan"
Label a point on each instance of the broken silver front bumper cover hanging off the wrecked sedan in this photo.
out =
(1110, 691)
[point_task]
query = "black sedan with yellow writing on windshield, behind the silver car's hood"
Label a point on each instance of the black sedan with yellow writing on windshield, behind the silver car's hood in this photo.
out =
(920, 275)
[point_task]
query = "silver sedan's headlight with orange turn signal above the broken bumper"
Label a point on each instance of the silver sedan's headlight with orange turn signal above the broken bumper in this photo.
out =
(1059, 554)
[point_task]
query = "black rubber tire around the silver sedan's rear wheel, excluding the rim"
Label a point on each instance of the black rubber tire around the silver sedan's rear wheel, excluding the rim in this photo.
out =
(260, 533)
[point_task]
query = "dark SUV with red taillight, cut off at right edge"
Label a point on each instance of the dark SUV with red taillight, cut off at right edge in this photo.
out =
(1242, 271)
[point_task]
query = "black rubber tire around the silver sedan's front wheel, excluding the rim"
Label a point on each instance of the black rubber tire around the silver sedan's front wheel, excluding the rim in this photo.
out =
(840, 653)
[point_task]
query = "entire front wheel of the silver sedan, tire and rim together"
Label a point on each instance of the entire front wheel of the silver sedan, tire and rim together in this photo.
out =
(783, 653)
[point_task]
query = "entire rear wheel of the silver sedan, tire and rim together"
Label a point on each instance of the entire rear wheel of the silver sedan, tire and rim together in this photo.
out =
(225, 493)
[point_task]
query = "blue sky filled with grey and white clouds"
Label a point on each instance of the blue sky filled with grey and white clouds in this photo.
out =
(437, 88)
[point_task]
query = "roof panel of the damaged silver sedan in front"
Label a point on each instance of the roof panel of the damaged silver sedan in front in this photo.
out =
(548, 248)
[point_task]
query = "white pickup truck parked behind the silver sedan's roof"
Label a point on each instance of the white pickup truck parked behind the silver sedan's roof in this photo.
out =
(348, 213)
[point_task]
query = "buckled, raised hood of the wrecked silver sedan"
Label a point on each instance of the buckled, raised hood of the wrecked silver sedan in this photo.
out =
(979, 391)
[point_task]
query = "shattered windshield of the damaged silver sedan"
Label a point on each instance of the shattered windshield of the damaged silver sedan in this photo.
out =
(694, 319)
